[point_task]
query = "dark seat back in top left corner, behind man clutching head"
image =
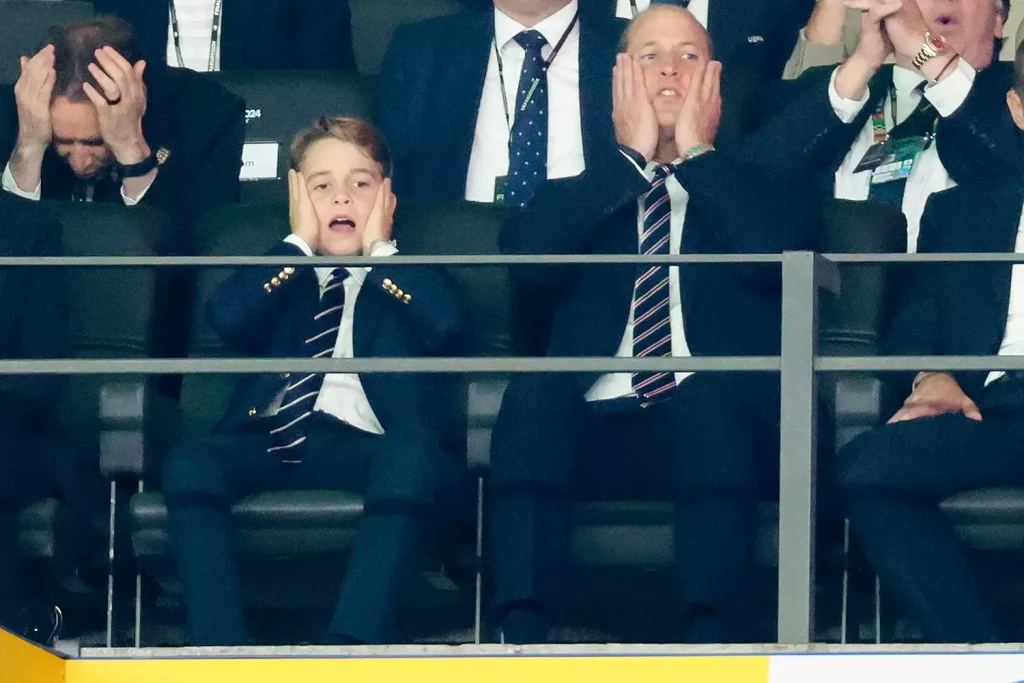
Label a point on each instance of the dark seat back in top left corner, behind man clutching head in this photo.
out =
(24, 25)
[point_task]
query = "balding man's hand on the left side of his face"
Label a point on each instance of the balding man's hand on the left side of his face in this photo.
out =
(632, 112)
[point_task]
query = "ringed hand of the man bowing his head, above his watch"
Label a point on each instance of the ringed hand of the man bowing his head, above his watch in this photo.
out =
(120, 104)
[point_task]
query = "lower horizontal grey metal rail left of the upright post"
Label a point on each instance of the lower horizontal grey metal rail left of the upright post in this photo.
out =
(455, 366)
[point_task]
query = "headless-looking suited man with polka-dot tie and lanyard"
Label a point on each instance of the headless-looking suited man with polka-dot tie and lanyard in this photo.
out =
(525, 98)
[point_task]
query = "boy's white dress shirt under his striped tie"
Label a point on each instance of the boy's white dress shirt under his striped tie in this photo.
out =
(343, 395)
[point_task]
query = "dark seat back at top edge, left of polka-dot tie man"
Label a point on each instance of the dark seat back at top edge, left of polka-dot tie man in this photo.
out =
(375, 21)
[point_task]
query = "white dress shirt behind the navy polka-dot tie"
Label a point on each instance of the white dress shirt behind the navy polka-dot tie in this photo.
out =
(490, 158)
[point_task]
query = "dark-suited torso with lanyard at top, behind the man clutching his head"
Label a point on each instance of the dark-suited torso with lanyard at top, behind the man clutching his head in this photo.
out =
(232, 35)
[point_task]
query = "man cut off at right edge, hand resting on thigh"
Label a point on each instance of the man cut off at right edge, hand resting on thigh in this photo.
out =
(957, 432)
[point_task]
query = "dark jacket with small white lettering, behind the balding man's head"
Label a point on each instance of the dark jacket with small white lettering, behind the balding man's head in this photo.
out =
(755, 35)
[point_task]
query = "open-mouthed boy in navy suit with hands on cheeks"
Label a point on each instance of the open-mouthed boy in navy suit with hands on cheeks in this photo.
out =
(379, 435)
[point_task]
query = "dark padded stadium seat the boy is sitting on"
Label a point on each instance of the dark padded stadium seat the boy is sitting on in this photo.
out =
(277, 530)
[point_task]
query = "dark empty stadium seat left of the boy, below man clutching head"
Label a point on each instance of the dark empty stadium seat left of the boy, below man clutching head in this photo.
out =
(112, 317)
